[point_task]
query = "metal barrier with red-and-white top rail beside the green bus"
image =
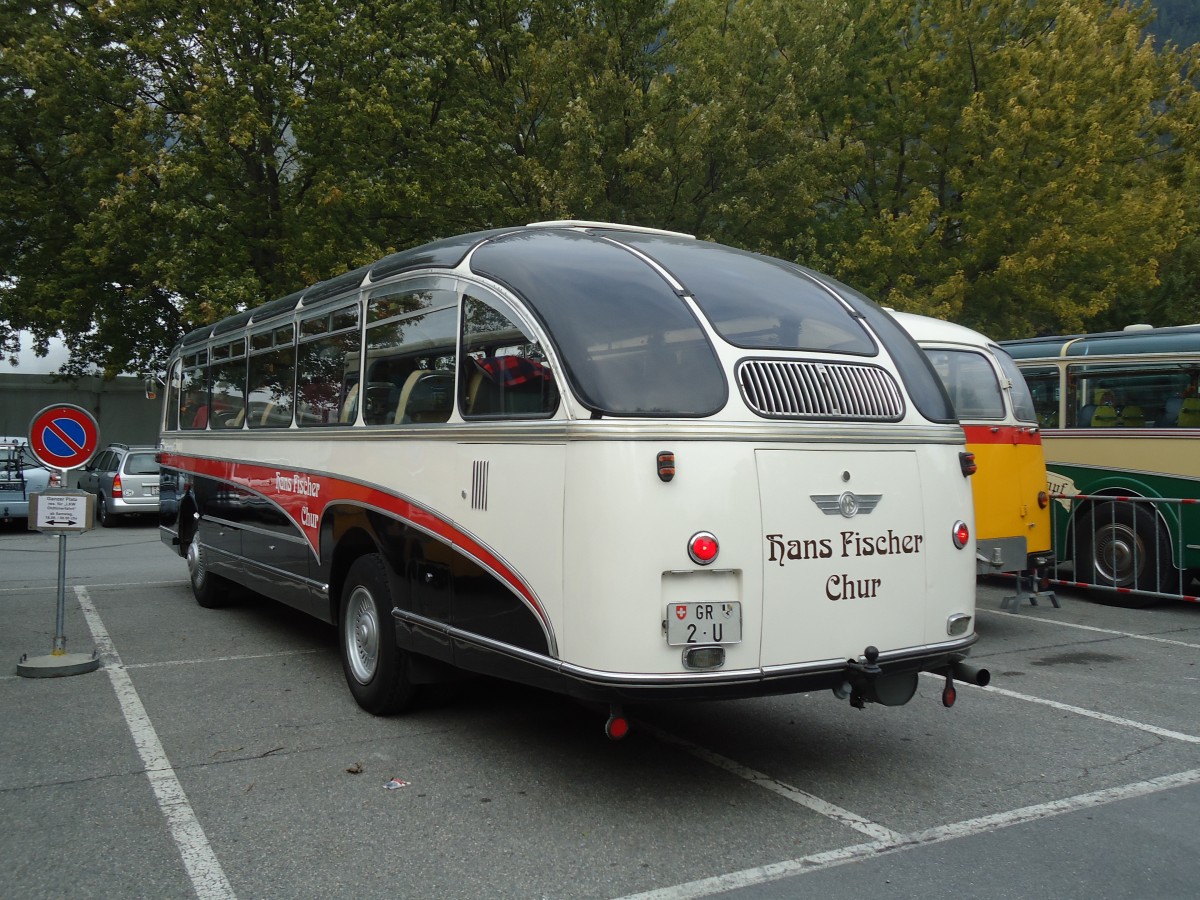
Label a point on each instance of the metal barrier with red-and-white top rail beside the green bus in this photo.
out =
(1120, 545)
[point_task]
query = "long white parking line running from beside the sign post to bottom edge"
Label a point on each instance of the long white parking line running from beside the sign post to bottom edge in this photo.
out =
(203, 868)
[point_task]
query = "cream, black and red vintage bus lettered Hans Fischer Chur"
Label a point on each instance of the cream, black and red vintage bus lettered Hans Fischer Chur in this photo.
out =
(610, 461)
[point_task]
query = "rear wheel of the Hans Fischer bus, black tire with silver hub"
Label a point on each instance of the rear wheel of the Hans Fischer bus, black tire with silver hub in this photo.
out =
(374, 664)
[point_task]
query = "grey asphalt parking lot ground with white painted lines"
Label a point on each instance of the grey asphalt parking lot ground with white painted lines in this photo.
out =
(218, 754)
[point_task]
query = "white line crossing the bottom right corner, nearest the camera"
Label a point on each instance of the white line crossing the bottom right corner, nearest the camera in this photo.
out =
(789, 868)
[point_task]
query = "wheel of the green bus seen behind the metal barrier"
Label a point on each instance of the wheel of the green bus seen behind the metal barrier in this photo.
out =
(1124, 545)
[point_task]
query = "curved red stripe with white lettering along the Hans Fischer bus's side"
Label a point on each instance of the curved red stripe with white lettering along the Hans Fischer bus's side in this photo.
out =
(304, 497)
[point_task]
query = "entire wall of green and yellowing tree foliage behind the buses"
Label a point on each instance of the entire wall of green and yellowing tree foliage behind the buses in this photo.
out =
(1017, 167)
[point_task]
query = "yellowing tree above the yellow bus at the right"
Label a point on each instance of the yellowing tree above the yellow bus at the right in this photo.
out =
(1011, 173)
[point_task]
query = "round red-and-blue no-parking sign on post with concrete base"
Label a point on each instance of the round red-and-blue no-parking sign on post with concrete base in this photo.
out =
(63, 437)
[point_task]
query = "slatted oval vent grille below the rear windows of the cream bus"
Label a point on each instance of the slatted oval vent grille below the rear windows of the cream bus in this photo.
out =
(802, 389)
